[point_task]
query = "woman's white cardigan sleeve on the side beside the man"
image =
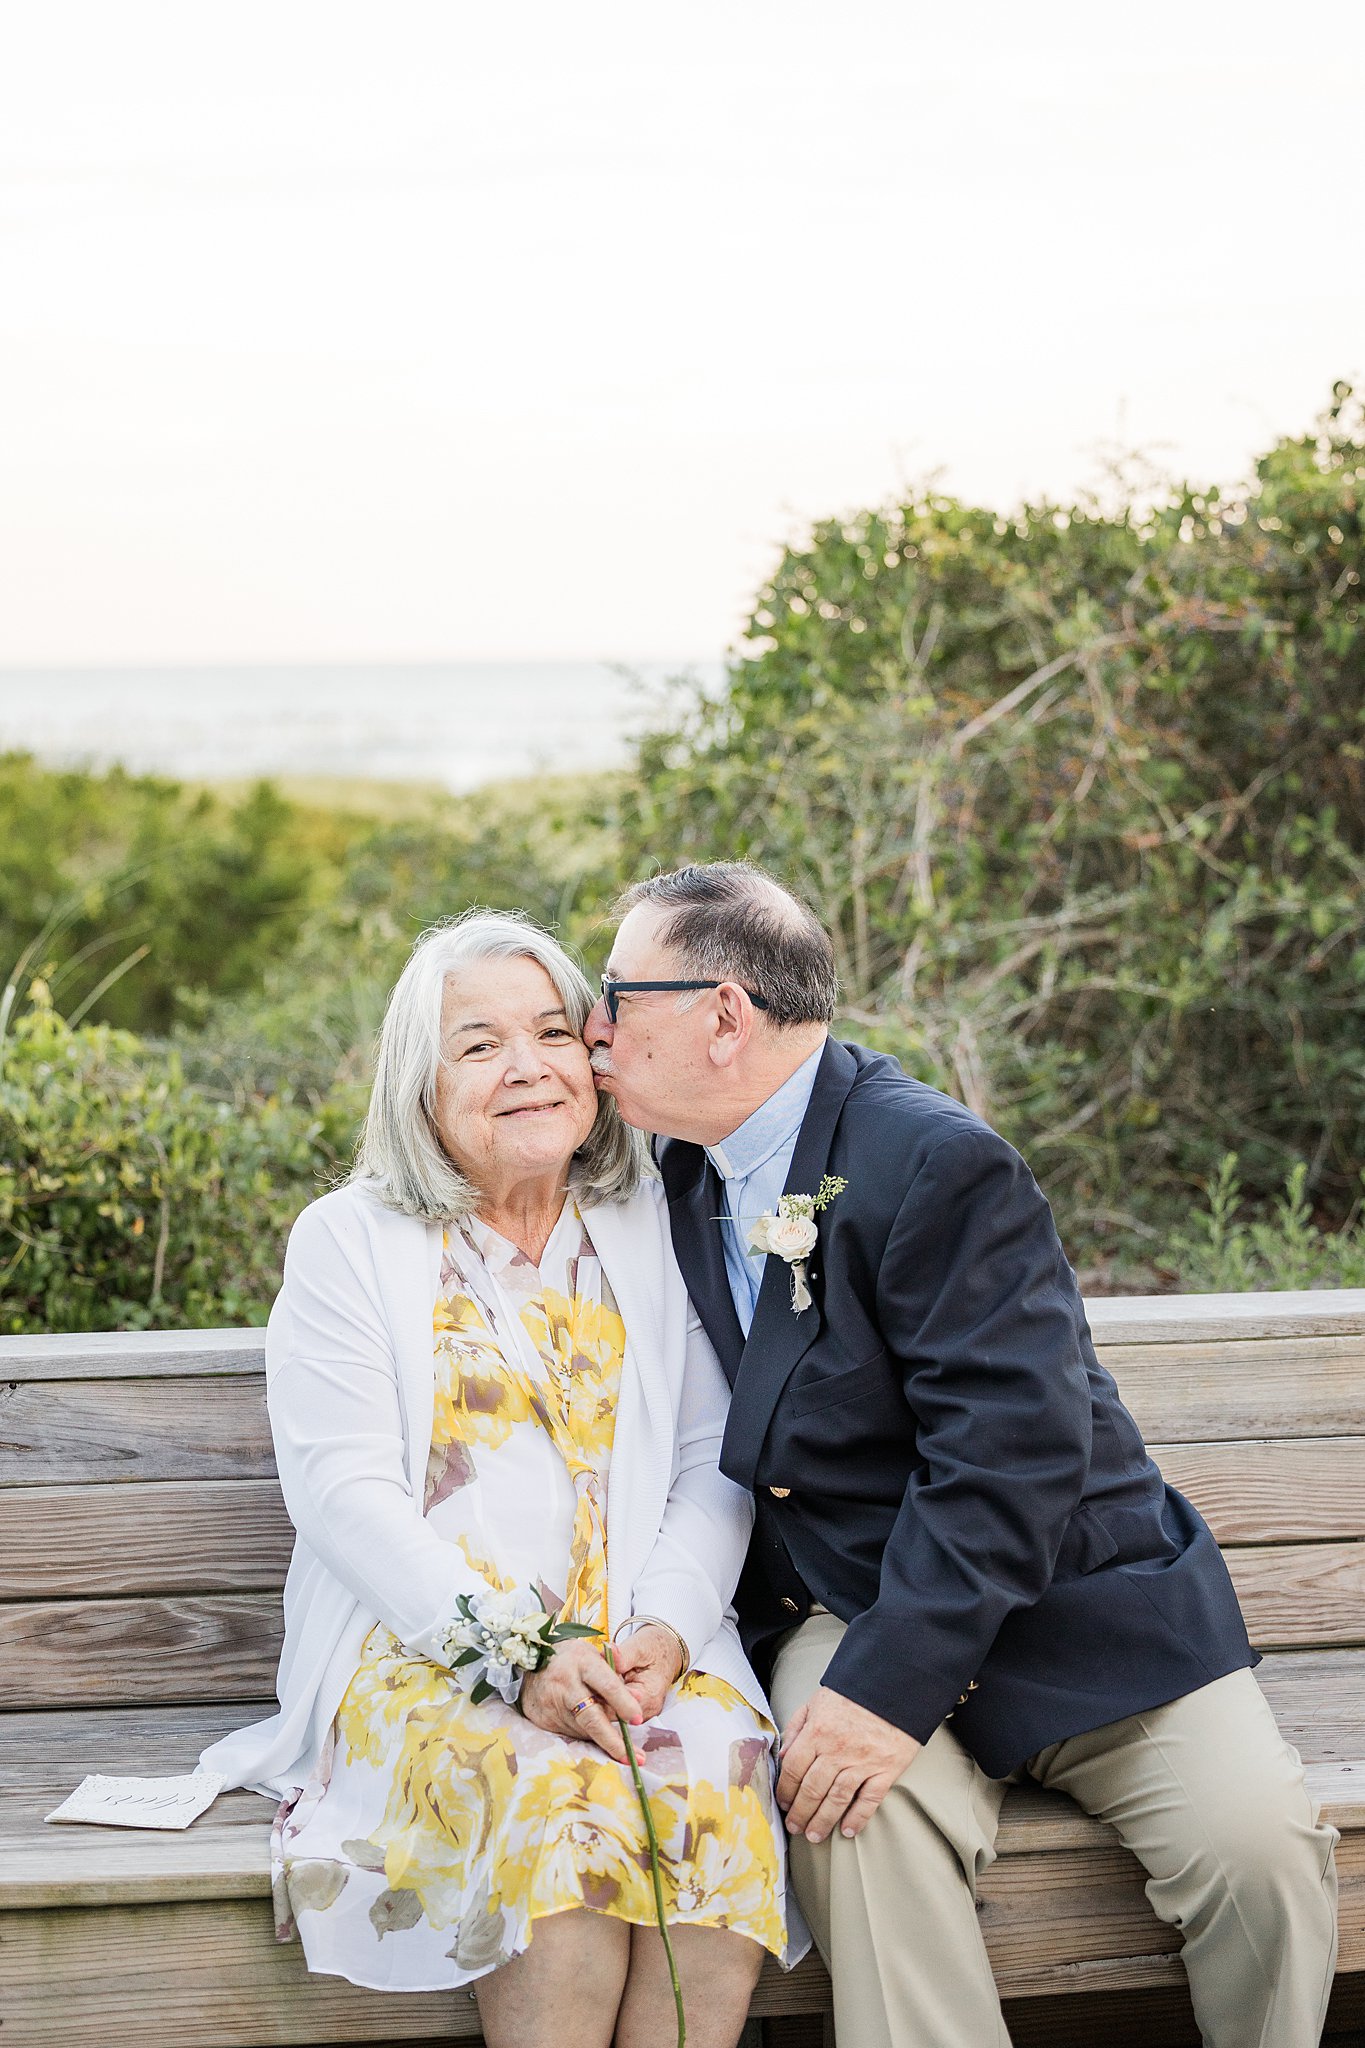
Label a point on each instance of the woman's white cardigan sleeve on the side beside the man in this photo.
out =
(689, 1578)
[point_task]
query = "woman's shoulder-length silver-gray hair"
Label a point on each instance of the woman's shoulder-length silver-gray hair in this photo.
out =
(400, 1154)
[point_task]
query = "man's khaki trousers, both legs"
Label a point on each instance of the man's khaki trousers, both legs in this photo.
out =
(1206, 1795)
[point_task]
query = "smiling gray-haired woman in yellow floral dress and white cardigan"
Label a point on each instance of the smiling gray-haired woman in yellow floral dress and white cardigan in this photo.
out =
(486, 1379)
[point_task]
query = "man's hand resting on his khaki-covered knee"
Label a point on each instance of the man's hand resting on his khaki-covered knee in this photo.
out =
(838, 1766)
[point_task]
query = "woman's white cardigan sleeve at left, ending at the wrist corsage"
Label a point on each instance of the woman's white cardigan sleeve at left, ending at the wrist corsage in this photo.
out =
(341, 1441)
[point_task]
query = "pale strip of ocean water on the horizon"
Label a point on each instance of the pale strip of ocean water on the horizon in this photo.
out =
(455, 724)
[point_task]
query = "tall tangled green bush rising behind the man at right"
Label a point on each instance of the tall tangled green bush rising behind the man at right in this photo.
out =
(1082, 796)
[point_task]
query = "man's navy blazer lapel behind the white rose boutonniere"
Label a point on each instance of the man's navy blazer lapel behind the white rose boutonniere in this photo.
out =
(779, 1334)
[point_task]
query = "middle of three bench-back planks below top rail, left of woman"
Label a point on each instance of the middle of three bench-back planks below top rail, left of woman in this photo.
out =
(167, 1537)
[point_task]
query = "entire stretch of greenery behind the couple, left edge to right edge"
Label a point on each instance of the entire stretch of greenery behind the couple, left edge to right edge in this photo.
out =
(1080, 794)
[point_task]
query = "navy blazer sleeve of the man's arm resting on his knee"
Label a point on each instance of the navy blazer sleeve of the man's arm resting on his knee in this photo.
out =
(977, 1306)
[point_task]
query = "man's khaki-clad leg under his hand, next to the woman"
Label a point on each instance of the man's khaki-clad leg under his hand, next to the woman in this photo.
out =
(895, 1910)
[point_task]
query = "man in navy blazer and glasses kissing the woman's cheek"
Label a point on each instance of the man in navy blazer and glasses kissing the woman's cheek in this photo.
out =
(965, 1564)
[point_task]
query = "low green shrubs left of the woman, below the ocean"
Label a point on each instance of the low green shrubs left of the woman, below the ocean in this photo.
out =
(150, 1181)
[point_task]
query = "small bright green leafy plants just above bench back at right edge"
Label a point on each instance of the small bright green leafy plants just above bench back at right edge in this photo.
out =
(1229, 1252)
